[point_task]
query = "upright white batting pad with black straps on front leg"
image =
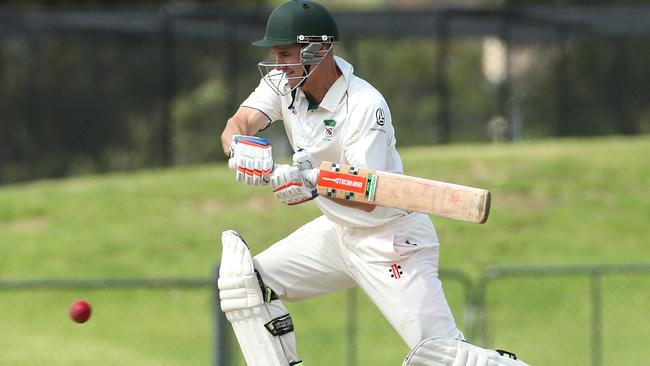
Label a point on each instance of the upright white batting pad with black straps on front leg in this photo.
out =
(241, 300)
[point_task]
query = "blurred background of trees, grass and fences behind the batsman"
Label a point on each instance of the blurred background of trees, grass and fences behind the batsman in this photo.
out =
(112, 183)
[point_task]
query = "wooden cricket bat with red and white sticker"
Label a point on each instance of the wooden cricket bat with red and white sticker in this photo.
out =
(341, 181)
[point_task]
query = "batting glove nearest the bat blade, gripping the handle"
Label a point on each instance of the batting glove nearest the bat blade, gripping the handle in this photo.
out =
(289, 185)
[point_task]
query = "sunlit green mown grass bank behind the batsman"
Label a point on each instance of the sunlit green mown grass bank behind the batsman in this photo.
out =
(574, 201)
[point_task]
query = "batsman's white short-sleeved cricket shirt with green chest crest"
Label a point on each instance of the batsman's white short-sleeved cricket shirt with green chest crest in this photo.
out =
(352, 125)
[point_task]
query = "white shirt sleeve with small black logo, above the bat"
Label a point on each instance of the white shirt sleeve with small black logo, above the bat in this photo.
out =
(373, 139)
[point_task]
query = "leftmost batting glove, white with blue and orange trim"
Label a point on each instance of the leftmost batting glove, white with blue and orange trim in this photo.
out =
(252, 159)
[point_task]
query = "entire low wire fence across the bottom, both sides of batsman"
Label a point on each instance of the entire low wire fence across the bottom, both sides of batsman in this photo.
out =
(559, 315)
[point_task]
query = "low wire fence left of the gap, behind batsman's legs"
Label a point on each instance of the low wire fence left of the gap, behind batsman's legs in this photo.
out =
(177, 322)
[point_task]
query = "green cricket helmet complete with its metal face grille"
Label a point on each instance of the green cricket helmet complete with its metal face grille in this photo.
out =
(302, 22)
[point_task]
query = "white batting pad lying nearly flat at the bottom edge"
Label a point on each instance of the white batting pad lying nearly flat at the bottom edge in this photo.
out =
(440, 351)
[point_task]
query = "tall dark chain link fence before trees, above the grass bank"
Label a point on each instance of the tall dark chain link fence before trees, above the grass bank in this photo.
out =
(95, 90)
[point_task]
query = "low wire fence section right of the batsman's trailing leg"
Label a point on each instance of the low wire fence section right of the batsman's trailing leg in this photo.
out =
(568, 315)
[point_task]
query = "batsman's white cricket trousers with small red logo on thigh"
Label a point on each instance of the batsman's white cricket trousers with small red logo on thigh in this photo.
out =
(396, 265)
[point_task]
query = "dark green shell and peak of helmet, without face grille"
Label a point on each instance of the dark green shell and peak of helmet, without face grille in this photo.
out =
(298, 18)
